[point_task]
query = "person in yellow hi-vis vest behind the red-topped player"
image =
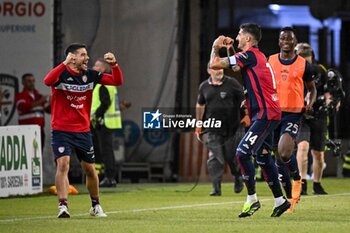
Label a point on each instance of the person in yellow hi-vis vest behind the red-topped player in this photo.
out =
(105, 119)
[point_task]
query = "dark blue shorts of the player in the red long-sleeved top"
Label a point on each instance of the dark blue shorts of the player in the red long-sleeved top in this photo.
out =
(65, 143)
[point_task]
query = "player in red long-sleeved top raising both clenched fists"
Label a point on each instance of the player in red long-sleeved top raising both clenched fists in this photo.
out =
(72, 84)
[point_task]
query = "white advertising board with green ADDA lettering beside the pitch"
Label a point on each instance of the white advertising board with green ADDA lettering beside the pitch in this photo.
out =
(20, 160)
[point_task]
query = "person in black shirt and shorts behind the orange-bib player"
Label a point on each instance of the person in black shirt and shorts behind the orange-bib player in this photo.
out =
(314, 125)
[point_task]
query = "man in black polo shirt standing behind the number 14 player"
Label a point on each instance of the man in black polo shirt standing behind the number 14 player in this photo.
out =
(220, 97)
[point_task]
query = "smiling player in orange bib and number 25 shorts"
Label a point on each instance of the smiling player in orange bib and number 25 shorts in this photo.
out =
(293, 75)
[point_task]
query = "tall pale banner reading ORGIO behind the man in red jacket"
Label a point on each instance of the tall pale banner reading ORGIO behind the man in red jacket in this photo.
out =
(26, 38)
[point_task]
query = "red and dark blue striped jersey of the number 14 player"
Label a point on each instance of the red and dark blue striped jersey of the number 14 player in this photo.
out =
(259, 81)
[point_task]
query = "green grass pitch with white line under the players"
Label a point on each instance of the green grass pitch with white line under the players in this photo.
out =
(161, 208)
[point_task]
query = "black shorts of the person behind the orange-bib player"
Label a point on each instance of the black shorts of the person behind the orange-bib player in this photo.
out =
(314, 131)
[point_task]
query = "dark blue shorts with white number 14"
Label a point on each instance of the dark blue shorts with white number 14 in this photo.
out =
(258, 135)
